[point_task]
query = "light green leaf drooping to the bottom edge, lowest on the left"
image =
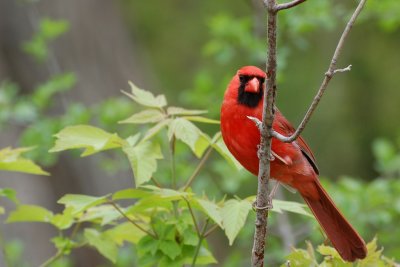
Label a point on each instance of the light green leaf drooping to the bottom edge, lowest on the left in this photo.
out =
(103, 243)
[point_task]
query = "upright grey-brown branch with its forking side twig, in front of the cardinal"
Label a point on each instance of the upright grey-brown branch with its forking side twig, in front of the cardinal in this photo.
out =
(263, 200)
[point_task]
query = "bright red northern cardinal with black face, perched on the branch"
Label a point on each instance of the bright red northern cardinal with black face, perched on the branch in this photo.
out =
(293, 163)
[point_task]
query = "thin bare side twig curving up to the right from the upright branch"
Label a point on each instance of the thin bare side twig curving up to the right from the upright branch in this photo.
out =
(328, 76)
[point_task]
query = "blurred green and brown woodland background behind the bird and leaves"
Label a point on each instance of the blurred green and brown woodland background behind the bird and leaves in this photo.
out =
(64, 62)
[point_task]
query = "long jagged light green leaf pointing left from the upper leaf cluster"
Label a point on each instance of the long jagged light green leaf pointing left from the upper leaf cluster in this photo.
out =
(84, 136)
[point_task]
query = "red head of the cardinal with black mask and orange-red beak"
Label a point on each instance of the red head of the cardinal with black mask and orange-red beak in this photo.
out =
(248, 83)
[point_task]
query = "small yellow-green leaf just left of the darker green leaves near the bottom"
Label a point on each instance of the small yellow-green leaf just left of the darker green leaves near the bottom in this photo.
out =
(125, 232)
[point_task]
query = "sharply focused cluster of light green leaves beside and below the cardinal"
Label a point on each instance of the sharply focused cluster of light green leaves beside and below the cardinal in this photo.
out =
(168, 226)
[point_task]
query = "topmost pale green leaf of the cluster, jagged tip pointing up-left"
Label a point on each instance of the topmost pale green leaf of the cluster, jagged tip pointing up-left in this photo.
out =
(146, 98)
